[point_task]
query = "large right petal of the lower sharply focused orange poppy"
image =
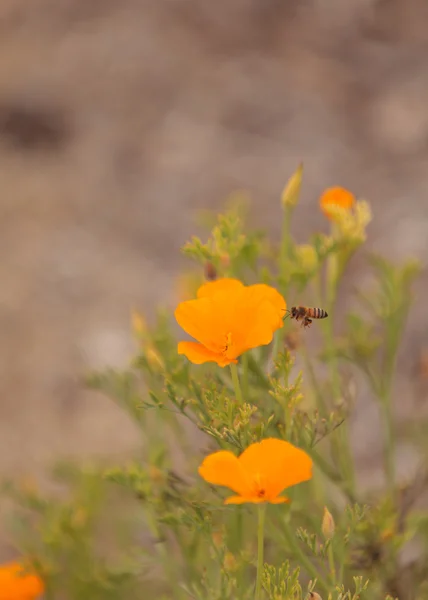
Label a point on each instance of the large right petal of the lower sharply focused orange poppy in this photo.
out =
(276, 464)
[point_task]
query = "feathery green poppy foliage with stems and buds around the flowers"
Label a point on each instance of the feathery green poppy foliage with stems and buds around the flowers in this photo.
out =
(149, 530)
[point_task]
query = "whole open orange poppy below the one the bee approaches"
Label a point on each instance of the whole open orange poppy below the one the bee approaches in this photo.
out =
(260, 473)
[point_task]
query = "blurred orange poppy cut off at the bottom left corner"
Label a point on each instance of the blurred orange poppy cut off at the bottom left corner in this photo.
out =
(17, 584)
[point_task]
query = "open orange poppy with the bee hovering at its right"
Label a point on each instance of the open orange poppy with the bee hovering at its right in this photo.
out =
(227, 318)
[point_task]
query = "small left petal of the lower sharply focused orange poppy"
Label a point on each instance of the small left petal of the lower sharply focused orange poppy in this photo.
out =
(224, 468)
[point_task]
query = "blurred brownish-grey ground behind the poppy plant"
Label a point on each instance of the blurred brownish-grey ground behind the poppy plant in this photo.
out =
(121, 119)
